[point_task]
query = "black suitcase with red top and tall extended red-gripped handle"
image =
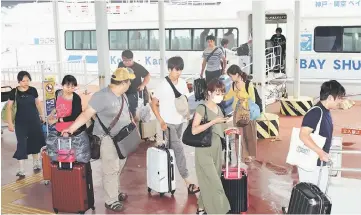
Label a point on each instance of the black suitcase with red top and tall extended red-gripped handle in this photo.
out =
(235, 180)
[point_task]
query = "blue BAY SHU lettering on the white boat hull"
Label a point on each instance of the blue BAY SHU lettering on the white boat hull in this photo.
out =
(324, 64)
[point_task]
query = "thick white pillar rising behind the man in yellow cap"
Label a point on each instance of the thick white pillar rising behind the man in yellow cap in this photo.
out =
(101, 23)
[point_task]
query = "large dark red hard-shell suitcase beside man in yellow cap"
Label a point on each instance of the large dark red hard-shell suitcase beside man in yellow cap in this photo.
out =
(72, 188)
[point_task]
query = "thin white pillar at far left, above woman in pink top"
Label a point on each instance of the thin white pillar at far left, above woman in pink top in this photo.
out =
(58, 43)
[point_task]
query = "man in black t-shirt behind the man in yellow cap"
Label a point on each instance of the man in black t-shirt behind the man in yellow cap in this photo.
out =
(137, 84)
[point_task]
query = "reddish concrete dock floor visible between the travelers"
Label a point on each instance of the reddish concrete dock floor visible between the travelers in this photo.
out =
(270, 179)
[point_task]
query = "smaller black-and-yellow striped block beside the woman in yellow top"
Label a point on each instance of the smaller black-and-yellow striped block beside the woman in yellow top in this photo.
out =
(268, 126)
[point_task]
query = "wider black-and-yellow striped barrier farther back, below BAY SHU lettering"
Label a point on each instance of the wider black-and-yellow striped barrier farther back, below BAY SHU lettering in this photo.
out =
(296, 107)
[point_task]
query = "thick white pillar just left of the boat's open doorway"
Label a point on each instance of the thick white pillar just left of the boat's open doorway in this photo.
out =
(259, 46)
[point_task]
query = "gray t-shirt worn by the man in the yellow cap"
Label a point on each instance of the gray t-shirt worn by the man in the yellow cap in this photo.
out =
(107, 105)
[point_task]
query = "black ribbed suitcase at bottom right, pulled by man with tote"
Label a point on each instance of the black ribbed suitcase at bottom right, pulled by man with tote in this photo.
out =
(307, 198)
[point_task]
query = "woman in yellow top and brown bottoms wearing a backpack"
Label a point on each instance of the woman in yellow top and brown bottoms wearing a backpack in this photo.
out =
(244, 89)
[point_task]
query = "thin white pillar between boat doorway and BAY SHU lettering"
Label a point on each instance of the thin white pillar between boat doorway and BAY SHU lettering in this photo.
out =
(297, 76)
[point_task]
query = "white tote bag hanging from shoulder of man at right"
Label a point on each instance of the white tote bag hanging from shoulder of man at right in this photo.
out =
(299, 154)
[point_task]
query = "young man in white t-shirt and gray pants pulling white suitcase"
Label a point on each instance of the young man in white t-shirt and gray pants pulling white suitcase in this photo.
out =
(163, 105)
